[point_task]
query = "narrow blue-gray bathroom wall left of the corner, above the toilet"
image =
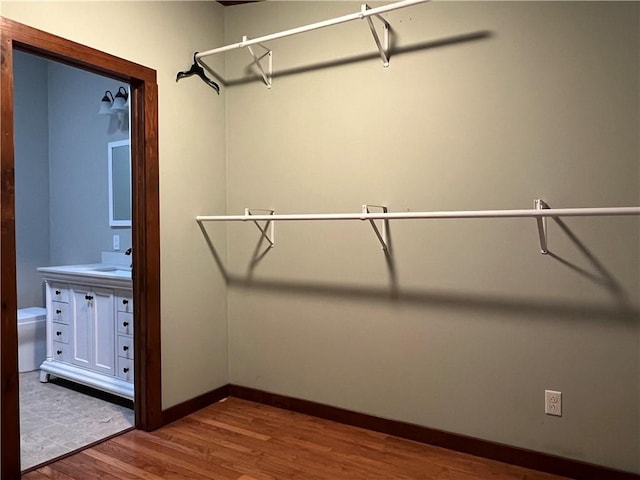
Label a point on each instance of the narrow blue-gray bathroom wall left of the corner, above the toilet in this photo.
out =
(31, 176)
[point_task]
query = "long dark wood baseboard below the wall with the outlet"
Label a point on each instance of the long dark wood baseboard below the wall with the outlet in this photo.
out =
(513, 455)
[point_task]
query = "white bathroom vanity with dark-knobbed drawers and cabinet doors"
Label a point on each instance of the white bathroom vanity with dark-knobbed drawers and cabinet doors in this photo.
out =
(90, 326)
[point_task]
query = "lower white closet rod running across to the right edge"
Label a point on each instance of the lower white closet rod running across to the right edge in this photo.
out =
(534, 213)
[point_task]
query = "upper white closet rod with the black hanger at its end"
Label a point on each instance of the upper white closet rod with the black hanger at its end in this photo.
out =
(364, 13)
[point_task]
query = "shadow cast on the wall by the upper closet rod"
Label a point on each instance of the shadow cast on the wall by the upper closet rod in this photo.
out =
(253, 75)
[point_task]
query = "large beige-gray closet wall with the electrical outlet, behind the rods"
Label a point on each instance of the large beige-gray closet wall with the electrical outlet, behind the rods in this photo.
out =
(486, 105)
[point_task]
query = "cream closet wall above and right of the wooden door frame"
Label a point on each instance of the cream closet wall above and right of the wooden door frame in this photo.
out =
(163, 36)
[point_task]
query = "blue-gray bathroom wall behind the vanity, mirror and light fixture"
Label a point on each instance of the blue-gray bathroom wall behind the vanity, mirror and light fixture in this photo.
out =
(78, 138)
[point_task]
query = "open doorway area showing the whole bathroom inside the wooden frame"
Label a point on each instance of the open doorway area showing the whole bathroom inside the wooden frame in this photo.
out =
(64, 191)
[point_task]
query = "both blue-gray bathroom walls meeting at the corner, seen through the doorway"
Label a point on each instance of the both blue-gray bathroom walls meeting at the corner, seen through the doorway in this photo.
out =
(62, 214)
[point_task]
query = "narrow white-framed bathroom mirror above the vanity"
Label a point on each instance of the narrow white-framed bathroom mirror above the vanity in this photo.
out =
(119, 183)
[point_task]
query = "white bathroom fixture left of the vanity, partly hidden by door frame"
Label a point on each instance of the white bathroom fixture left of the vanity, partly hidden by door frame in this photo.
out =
(32, 338)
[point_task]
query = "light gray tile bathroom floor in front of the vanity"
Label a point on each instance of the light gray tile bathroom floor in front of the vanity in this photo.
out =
(55, 419)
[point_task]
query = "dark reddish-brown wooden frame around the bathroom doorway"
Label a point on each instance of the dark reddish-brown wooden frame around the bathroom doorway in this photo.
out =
(145, 226)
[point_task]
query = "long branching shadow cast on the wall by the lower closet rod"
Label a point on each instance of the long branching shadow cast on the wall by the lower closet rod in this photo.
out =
(619, 310)
